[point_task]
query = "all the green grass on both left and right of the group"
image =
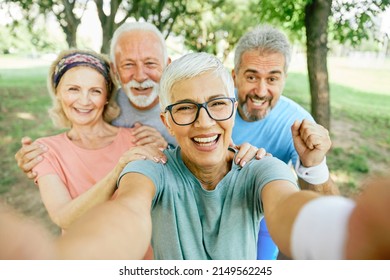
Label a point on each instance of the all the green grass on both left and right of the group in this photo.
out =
(360, 123)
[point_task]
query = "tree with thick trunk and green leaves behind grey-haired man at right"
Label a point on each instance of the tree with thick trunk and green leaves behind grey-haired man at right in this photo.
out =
(319, 20)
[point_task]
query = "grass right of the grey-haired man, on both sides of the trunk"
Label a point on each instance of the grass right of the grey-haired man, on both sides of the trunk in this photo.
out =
(360, 128)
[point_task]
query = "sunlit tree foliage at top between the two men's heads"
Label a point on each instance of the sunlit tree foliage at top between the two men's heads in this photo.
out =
(216, 27)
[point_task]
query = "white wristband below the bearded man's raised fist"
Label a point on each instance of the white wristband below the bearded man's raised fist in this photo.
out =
(314, 175)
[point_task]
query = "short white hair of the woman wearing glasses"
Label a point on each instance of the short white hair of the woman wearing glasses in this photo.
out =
(189, 66)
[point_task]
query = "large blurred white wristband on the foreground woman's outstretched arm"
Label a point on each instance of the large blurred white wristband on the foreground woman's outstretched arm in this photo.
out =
(320, 229)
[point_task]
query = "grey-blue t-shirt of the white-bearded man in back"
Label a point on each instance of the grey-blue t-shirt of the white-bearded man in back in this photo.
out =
(130, 115)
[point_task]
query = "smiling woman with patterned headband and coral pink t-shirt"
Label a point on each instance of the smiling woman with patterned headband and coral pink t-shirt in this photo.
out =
(82, 164)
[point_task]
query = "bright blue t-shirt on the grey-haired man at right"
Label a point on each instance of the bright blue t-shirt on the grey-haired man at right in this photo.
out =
(273, 133)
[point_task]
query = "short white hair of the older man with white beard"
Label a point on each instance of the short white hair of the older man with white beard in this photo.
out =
(138, 25)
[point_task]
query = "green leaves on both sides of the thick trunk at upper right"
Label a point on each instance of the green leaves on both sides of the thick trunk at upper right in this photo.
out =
(351, 21)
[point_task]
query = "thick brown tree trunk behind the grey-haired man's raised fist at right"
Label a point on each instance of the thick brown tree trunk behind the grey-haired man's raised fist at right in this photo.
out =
(316, 23)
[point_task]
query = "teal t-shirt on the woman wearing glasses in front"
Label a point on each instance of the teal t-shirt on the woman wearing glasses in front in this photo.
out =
(190, 222)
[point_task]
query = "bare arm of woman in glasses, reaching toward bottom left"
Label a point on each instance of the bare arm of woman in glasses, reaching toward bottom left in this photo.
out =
(116, 229)
